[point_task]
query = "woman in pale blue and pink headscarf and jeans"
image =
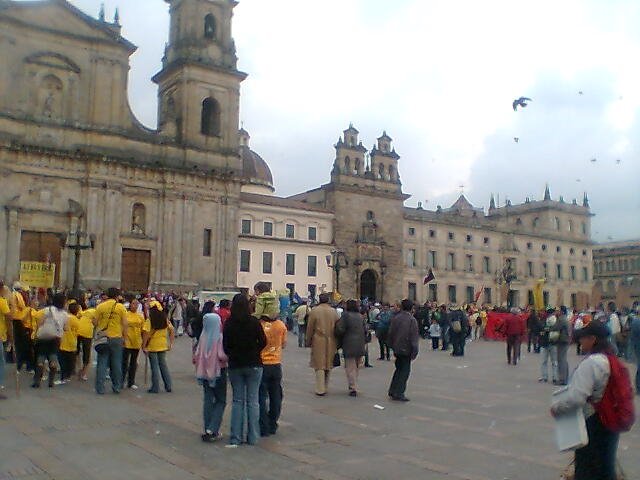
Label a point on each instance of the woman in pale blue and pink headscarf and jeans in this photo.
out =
(211, 372)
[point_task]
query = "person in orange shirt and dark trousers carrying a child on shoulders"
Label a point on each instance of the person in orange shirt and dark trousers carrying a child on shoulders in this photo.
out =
(270, 392)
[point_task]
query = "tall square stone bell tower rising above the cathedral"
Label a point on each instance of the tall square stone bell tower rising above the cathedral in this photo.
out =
(199, 84)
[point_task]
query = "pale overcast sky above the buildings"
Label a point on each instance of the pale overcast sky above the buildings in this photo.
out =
(439, 76)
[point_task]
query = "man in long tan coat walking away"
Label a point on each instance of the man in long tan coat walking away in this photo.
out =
(321, 338)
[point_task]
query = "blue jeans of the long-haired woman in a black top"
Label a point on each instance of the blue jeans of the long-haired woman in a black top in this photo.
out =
(245, 382)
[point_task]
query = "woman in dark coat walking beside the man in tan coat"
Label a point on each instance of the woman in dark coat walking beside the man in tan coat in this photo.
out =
(350, 331)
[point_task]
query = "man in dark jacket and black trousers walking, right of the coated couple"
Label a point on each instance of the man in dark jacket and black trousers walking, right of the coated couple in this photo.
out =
(403, 338)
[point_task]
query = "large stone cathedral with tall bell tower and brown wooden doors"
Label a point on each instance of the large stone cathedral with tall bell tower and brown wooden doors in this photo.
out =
(74, 158)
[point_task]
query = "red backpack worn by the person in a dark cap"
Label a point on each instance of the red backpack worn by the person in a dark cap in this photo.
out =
(616, 409)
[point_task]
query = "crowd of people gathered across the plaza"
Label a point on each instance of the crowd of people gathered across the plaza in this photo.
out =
(53, 336)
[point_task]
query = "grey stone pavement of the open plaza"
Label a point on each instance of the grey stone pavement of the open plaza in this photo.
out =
(471, 418)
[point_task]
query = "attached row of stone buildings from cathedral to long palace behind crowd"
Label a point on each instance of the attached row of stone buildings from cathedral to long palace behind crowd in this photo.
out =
(190, 206)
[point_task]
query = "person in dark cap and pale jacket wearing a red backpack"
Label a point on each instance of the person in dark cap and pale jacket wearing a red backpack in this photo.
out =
(602, 388)
